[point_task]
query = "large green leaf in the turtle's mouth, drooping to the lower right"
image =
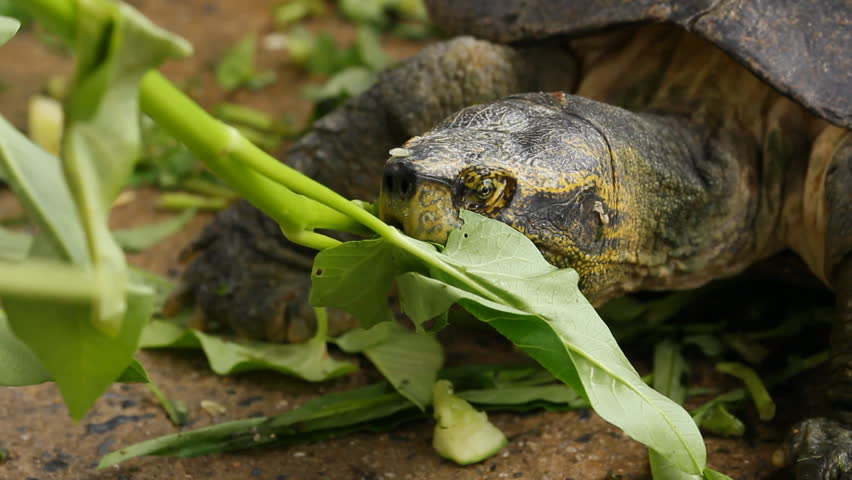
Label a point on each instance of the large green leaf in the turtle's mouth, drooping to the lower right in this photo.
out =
(537, 307)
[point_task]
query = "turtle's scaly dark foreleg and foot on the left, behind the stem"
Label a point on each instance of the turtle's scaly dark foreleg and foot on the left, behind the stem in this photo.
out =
(247, 277)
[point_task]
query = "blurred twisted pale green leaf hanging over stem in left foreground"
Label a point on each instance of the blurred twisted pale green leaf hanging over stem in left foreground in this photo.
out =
(116, 46)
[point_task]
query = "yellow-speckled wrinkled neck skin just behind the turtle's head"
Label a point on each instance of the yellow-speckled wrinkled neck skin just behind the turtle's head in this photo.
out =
(681, 207)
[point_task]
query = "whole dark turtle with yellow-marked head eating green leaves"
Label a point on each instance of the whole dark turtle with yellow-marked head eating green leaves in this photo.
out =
(648, 144)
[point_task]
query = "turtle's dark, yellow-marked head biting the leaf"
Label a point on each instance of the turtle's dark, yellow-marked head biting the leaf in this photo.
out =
(521, 160)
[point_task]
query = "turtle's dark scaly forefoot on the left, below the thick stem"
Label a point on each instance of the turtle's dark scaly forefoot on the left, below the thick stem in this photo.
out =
(246, 277)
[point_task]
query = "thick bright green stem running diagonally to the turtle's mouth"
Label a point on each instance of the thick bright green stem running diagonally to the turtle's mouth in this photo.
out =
(298, 203)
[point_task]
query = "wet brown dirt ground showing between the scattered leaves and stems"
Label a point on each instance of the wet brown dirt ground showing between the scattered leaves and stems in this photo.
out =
(44, 444)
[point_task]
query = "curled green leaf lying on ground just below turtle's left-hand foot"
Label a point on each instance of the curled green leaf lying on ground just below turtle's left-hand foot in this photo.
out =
(309, 360)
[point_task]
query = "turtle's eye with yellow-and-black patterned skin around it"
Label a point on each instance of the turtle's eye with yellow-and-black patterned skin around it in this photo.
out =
(483, 190)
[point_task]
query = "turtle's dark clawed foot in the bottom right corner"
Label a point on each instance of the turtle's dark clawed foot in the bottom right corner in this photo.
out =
(820, 449)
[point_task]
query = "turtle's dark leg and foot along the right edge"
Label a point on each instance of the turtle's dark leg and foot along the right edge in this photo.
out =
(821, 448)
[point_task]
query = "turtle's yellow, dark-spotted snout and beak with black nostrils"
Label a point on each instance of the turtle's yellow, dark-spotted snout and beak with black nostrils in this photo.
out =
(420, 204)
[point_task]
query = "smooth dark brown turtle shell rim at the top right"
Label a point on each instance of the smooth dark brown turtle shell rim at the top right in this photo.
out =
(800, 47)
